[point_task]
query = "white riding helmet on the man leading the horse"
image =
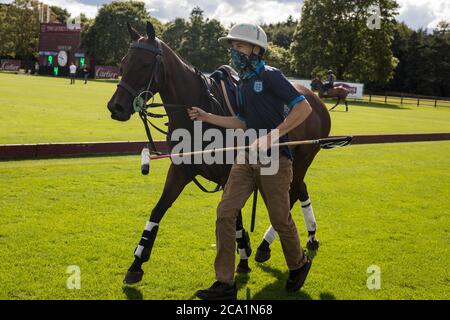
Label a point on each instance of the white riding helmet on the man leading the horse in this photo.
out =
(245, 32)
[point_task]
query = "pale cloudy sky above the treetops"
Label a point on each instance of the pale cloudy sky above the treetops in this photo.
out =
(415, 13)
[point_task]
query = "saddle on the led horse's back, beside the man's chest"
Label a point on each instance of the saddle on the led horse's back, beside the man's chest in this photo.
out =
(226, 79)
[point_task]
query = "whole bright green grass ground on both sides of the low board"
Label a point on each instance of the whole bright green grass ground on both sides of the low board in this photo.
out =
(384, 205)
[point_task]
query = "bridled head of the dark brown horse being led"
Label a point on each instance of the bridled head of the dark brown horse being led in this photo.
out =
(141, 70)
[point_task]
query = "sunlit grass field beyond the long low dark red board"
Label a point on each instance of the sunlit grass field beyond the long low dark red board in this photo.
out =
(45, 109)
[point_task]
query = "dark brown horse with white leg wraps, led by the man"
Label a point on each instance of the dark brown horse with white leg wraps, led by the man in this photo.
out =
(151, 66)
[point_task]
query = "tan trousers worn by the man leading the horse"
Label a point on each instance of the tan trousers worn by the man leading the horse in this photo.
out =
(275, 191)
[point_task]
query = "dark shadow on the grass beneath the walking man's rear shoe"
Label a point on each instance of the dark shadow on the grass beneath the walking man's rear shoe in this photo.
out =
(276, 290)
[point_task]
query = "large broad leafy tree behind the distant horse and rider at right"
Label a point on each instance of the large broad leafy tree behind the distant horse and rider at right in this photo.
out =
(334, 34)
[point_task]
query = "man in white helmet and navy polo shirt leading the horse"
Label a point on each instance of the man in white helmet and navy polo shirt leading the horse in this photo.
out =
(264, 92)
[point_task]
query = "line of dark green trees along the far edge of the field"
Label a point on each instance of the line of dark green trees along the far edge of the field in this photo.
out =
(327, 35)
